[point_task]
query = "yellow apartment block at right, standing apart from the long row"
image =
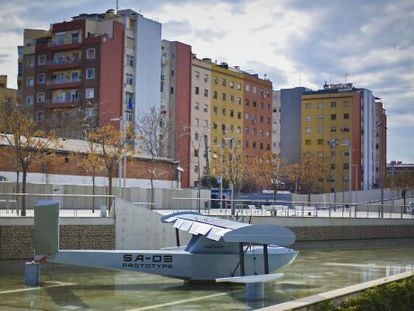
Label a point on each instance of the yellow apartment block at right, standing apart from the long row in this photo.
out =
(331, 132)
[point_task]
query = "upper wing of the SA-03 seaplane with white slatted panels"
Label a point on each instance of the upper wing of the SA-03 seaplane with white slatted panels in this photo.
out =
(230, 231)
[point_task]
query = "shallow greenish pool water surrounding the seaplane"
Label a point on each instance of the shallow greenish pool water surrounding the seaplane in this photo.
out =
(314, 271)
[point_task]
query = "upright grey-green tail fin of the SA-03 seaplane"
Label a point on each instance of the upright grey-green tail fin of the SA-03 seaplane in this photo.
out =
(46, 228)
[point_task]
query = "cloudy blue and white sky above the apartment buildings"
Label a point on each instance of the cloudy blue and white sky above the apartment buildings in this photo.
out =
(293, 42)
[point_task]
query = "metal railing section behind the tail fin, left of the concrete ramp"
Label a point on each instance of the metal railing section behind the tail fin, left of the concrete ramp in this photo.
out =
(71, 205)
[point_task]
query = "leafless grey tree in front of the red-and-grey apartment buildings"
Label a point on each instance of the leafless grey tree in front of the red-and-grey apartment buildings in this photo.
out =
(154, 133)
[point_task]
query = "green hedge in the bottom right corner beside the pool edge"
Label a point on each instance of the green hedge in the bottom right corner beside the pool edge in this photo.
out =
(398, 296)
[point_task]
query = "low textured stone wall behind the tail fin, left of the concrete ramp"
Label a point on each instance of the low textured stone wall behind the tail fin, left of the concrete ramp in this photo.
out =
(16, 236)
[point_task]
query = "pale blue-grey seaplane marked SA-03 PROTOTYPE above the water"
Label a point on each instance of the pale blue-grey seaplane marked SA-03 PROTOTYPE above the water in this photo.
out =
(219, 250)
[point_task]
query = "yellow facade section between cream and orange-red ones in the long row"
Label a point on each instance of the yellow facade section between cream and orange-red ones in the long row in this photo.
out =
(226, 113)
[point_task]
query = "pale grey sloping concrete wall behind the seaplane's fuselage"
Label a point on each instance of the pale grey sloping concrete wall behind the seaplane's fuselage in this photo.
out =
(137, 227)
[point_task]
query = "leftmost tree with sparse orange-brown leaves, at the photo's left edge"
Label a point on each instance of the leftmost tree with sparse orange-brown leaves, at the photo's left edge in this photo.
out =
(28, 145)
